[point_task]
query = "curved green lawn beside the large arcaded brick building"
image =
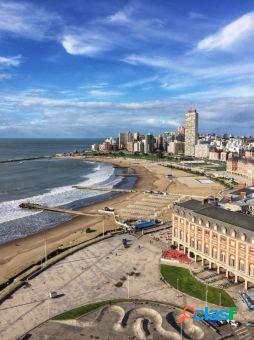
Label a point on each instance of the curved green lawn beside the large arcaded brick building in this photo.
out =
(191, 286)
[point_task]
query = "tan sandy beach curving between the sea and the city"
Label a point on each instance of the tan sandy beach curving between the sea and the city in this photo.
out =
(19, 254)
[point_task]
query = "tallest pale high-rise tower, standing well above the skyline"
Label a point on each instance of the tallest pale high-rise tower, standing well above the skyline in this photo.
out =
(191, 132)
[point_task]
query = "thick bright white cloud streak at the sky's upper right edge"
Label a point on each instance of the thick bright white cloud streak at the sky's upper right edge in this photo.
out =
(231, 35)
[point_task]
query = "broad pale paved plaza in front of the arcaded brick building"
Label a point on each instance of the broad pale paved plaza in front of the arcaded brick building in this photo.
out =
(103, 271)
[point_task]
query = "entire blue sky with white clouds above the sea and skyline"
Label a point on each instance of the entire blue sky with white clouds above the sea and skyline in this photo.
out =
(91, 68)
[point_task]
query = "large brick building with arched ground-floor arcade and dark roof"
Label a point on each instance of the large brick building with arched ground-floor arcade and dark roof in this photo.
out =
(220, 239)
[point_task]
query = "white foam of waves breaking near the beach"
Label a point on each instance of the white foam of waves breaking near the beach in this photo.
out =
(60, 196)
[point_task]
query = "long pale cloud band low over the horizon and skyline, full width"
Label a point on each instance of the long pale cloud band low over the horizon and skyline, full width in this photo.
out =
(110, 116)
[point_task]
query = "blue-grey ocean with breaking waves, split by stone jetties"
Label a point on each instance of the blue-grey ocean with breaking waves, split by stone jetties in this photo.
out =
(49, 182)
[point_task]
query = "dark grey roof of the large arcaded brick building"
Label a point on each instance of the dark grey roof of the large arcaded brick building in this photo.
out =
(217, 213)
